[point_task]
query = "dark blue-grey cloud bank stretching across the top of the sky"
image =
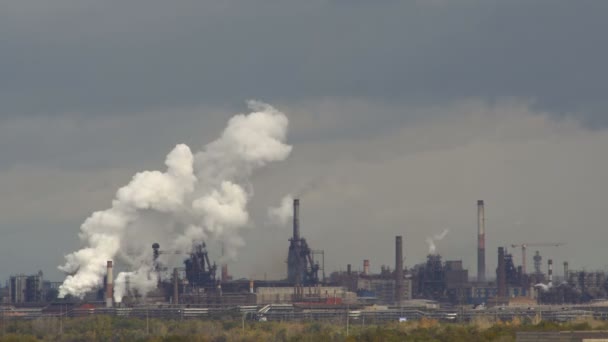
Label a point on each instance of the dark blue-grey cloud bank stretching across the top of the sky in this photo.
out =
(114, 56)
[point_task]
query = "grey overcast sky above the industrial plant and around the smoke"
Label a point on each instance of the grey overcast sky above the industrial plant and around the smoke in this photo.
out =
(402, 115)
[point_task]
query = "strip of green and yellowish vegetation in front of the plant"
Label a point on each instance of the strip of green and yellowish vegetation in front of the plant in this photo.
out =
(106, 328)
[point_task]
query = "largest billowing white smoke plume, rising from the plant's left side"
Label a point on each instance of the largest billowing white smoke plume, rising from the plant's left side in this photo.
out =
(201, 196)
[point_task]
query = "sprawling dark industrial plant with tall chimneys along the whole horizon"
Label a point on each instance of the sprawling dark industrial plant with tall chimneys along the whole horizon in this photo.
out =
(433, 284)
